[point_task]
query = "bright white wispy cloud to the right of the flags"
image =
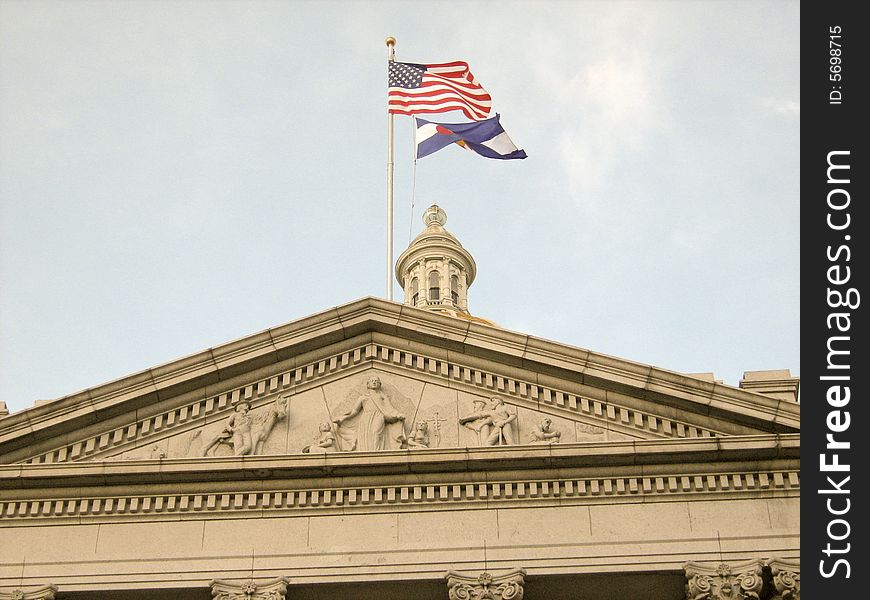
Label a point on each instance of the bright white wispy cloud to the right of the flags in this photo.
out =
(606, 90)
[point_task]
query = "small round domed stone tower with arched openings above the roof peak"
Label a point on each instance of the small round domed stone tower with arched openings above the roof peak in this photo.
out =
(435, 270)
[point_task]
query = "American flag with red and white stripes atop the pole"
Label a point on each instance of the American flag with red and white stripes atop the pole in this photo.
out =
(436, 88)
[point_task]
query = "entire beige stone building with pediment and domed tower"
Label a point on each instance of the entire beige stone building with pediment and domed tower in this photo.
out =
(399, 451)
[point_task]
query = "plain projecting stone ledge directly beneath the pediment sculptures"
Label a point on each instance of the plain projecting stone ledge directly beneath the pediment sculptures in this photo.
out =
(612, 455)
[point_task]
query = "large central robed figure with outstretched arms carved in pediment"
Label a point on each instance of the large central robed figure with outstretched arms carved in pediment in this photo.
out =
(363, 427)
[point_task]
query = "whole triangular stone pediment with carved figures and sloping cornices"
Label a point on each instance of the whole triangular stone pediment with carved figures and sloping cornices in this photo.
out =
(298, 379)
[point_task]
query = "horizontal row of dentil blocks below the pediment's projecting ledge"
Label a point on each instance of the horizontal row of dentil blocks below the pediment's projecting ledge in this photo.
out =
(221, 499)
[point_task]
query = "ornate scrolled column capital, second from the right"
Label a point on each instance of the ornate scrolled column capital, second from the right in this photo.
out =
(725, 582)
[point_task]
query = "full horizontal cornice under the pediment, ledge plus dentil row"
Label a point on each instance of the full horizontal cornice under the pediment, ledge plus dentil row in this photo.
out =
(697, 470)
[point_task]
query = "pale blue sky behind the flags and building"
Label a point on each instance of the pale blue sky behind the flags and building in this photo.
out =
(176, 175)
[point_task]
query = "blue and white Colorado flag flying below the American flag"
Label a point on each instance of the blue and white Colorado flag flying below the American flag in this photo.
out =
(486, 137)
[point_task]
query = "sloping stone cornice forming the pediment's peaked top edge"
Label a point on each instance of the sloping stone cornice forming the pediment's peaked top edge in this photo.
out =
(282, 344)
